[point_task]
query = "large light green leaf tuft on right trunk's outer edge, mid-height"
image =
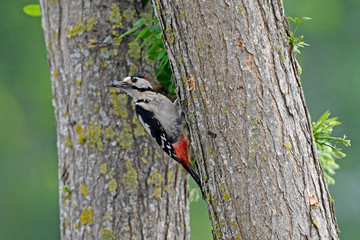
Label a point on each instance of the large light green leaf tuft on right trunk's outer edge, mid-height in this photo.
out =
(327, 144)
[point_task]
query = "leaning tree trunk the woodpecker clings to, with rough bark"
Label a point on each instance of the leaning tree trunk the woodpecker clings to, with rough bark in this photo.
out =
(249, 126)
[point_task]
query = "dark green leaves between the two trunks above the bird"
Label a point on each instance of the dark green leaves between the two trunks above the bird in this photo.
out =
(150, 32)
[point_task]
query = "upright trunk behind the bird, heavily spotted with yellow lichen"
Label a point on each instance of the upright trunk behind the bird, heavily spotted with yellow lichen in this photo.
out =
(114, 181)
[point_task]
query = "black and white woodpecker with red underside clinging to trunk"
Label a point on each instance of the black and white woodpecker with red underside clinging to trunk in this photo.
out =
(161, 119)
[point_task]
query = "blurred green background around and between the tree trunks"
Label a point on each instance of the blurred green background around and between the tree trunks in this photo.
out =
(28, 158)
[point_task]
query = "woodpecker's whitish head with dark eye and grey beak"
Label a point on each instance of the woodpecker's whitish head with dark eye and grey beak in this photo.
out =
(137, 82)
